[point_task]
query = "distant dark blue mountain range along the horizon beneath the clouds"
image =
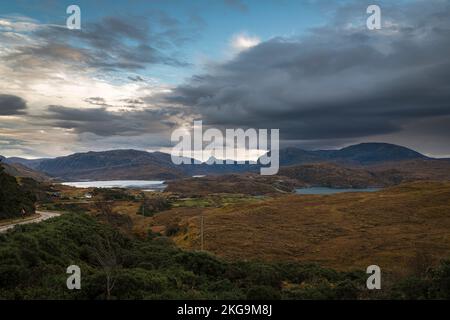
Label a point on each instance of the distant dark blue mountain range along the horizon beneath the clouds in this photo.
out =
(142, 165)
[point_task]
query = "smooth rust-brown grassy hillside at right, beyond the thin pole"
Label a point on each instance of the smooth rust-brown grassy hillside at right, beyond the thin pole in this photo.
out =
(398, 228)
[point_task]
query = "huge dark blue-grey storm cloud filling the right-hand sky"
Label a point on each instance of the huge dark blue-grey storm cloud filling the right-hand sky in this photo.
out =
(341, 81)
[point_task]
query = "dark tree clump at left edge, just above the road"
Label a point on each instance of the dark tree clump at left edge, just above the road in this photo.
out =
(13, 197)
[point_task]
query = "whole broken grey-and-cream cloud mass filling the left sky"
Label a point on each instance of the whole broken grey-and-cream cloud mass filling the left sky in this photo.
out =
(111, 51)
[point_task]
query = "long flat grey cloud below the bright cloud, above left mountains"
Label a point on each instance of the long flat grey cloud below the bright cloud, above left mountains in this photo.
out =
(102, 122)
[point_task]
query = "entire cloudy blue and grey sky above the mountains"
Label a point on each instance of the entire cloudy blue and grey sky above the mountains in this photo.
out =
(138, 70)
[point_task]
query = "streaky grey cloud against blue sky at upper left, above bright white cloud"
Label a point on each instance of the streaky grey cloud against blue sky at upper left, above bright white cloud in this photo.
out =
(113, 43)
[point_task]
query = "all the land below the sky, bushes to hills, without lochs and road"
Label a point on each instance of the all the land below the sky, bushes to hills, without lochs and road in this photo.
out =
(260, 238)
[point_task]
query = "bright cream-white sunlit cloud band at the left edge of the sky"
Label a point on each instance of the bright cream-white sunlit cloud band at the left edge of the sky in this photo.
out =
(42, 82)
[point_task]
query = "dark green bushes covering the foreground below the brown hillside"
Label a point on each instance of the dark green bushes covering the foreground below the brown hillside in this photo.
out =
(34, 258)
